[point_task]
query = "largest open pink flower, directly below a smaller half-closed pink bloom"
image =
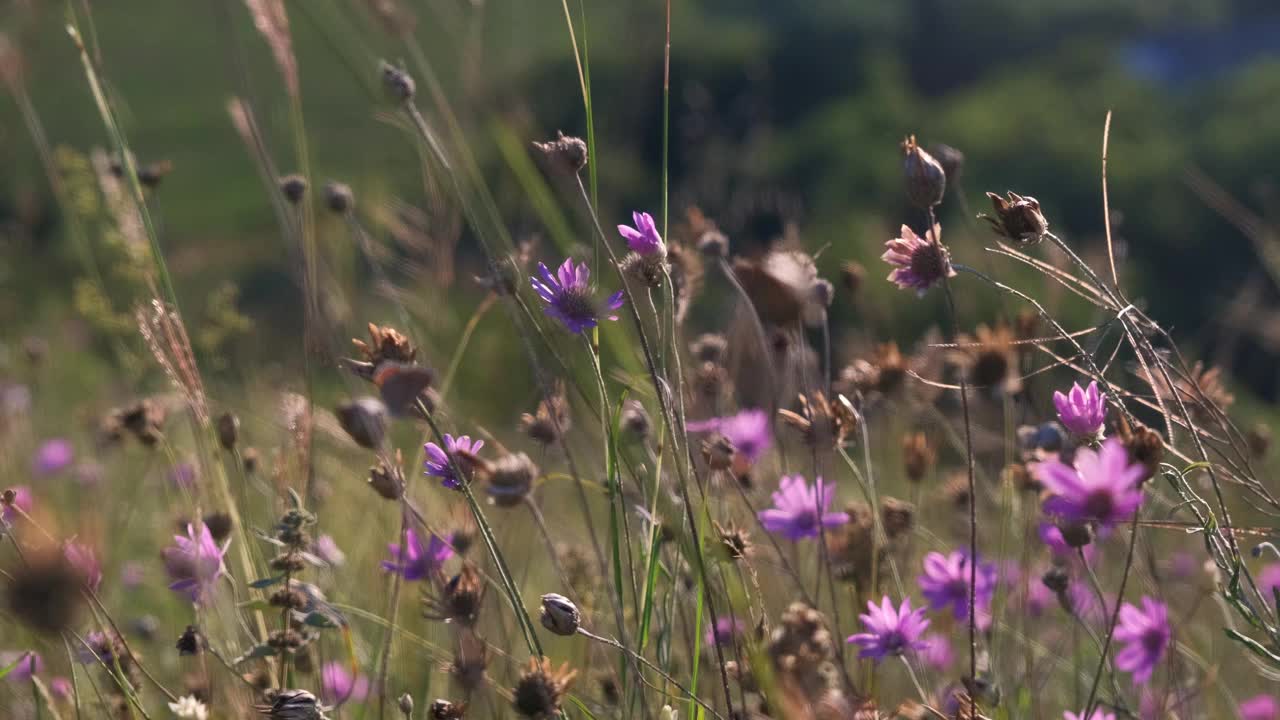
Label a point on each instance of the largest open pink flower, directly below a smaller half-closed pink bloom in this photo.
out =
(1101, 489)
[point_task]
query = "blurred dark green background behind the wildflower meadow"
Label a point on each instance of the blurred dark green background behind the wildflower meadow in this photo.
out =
(781, 113)
